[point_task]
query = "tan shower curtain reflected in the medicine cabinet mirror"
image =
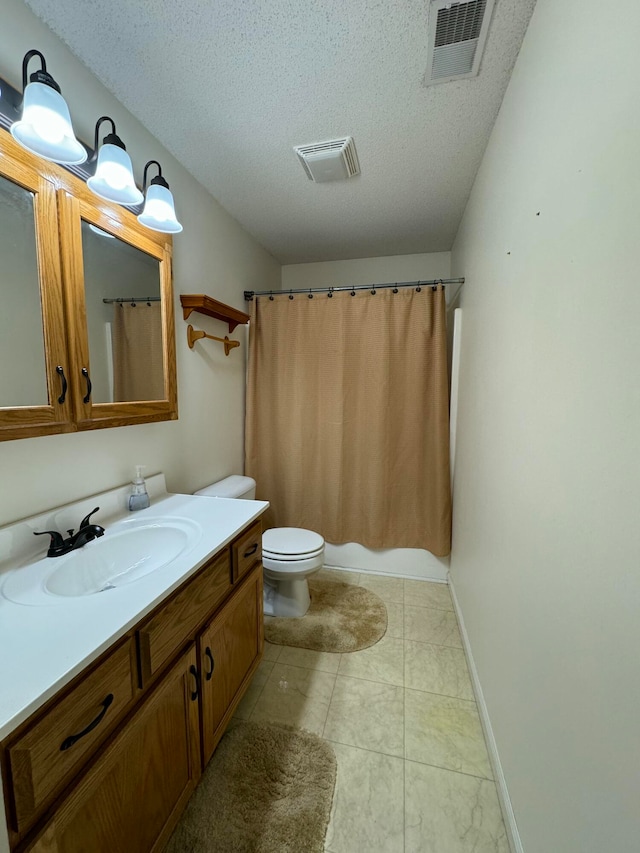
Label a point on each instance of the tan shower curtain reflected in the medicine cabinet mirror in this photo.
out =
(137, 352)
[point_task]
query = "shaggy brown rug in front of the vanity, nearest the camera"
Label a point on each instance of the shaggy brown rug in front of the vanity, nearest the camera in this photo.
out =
(267, 789)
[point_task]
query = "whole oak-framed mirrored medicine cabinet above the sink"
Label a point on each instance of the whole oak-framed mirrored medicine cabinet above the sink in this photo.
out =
(64, 351)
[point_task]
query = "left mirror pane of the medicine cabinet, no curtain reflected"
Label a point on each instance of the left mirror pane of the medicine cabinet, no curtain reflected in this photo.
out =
(23, 377)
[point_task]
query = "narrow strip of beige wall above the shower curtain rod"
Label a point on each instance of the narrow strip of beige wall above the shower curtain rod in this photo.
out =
(367, 270)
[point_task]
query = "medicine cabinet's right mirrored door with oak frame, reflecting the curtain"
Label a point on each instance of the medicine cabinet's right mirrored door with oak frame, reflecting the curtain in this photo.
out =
(118, 281)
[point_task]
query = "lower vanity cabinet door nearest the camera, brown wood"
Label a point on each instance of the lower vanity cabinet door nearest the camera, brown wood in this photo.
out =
(132, 797)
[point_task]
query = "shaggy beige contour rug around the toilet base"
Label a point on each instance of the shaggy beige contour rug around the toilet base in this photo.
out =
(342, 617)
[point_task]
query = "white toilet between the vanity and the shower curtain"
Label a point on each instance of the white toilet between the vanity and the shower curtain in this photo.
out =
(289, 554)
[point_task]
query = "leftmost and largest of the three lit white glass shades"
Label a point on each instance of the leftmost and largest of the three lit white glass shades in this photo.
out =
(45, 126)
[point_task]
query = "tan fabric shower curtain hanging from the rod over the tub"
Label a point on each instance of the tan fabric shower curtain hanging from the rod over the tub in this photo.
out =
(347, 429)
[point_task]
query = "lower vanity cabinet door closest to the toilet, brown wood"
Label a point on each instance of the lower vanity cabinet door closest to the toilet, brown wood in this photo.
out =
(229, 650)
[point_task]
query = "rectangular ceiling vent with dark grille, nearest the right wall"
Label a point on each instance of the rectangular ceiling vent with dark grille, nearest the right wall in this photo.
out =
(457, 34)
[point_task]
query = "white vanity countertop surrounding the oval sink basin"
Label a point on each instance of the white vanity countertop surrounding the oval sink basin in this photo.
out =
(43, 647)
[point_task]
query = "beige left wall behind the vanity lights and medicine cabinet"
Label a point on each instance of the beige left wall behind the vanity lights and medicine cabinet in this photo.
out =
(213, 255)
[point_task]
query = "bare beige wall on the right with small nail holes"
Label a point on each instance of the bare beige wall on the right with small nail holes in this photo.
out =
(547, 498)
